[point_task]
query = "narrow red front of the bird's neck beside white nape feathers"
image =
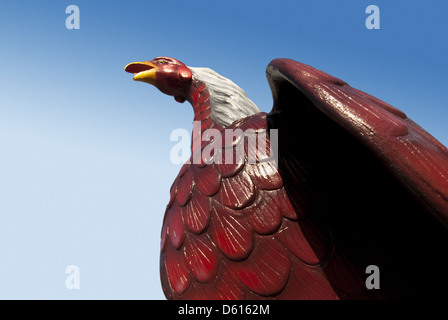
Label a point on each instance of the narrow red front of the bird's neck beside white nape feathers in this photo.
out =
(199, 97)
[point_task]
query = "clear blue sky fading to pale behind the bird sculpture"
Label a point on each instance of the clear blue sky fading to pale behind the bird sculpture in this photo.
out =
(85, 169)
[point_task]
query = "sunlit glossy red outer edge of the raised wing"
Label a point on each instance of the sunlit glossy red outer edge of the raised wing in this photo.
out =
(416, 158)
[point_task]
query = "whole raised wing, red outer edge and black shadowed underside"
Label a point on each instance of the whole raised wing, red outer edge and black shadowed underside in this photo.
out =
(356, 166)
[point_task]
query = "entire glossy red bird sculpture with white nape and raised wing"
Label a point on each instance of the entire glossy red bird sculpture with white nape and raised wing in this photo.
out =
(353, 183)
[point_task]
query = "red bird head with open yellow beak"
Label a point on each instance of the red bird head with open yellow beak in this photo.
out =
(169, 75)
